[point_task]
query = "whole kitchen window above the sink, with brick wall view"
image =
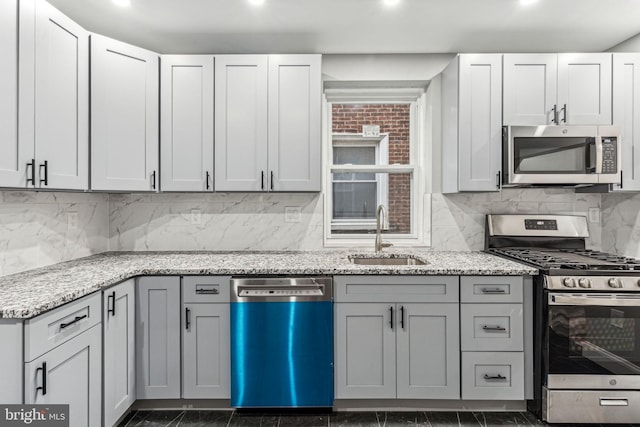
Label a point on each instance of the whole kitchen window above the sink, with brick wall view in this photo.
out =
(365, 170)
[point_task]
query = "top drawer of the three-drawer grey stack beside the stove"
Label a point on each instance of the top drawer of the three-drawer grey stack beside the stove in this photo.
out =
(491, 288)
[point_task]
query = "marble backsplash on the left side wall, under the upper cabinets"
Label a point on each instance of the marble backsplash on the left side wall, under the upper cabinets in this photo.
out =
(43, 228)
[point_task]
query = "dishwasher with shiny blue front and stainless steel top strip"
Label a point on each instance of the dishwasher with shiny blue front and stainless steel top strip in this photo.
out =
(281, 342)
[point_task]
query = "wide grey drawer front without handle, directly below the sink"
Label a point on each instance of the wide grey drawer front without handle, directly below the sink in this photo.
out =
(396, 288)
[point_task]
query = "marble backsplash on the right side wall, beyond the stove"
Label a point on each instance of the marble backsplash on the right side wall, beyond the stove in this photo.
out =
(621, 224)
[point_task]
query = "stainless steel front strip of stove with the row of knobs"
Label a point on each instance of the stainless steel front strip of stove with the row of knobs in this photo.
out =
(593, 283)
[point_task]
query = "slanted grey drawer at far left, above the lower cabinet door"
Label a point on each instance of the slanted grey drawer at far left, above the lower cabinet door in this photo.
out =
(47, 331)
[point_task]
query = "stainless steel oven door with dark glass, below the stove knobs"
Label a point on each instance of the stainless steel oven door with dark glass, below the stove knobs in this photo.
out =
(592, 341)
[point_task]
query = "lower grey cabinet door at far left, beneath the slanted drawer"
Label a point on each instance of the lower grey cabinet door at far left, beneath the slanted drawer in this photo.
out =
(72, 373)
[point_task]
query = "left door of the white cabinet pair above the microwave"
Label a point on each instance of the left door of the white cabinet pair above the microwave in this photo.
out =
(530, 89)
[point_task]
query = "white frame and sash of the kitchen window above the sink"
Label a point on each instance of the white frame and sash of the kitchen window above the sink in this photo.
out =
(420, 235)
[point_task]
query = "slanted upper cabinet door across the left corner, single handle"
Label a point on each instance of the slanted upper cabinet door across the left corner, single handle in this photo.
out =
(124, 116)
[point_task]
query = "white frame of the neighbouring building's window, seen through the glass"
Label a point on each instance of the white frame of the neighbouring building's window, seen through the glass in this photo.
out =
(381, 145)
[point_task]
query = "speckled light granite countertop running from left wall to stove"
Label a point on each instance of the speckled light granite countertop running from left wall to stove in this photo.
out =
(27, 294)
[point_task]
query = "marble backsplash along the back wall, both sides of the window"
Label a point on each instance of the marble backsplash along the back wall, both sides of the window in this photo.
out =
(253, 221)
